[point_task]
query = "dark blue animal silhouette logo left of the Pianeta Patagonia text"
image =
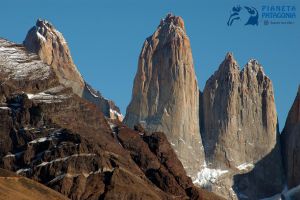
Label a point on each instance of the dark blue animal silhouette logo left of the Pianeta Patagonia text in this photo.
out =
(239, 13)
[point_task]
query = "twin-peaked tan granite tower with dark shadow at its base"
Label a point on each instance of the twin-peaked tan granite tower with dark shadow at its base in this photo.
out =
(240, 128)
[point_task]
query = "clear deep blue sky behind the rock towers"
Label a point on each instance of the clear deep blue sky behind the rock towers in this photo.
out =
(105, 39)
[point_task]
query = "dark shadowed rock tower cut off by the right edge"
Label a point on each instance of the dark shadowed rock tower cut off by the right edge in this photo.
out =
(291, 144)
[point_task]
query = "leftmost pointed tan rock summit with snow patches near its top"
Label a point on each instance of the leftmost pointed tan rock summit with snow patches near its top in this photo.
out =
(53, 50)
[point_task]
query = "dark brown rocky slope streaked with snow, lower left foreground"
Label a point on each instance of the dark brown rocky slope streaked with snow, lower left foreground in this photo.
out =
(53, 136)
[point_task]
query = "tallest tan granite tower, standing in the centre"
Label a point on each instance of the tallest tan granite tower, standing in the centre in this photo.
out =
(165, 94)
